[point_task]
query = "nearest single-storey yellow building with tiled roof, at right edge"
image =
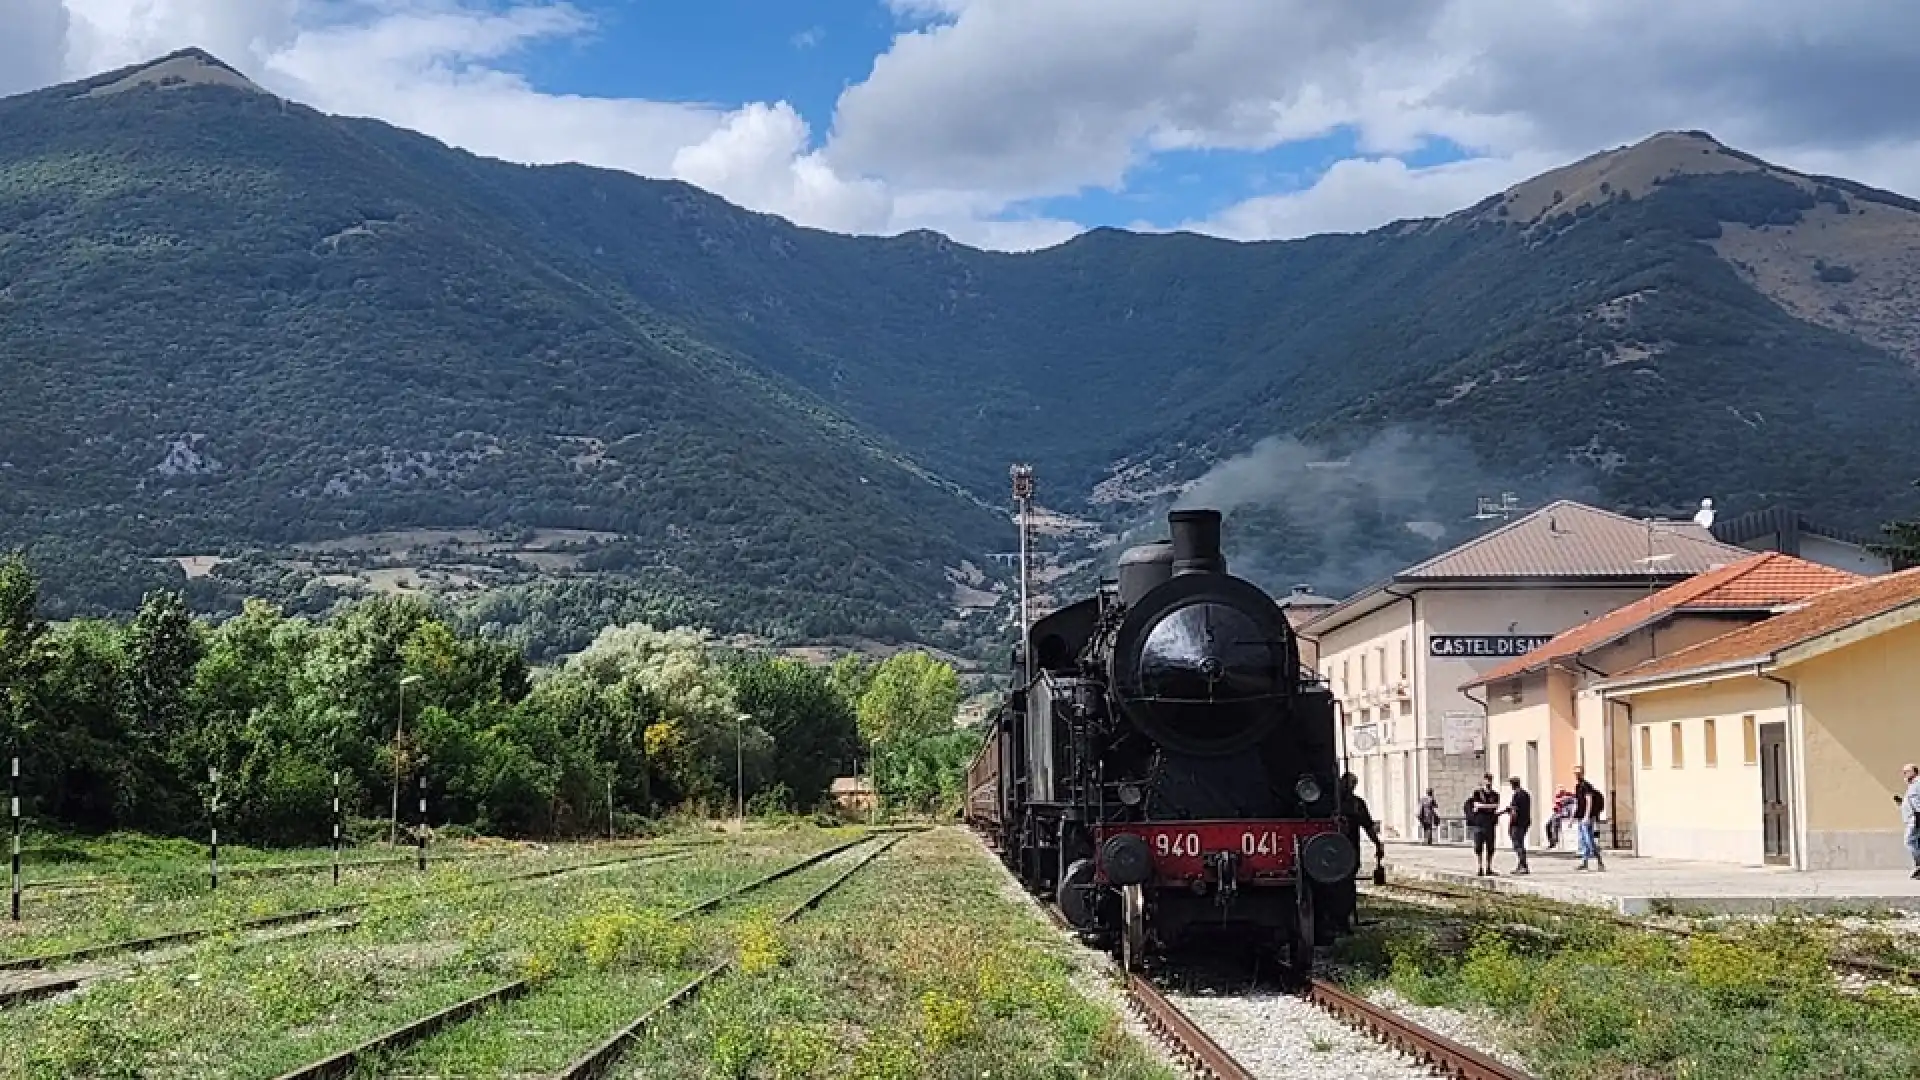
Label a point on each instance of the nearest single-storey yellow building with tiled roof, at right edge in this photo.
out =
(1783, 743)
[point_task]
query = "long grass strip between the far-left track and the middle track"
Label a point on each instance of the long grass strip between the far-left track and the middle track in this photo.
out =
(256, 1010)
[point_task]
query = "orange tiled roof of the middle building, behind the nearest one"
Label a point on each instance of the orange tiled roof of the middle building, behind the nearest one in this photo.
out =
(1758, 583)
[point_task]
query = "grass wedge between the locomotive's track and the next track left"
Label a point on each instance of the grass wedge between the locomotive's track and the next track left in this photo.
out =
(921, 968)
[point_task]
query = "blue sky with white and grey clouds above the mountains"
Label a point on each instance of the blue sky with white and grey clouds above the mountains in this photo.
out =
(1019, 124)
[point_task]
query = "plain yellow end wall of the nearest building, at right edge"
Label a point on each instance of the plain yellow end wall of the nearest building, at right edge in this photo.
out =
(1861, 716)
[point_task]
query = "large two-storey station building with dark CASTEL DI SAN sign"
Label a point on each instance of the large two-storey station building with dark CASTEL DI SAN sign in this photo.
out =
(1399, 652)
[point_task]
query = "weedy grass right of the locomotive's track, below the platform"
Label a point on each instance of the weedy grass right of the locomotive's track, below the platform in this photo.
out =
(1602, 1002)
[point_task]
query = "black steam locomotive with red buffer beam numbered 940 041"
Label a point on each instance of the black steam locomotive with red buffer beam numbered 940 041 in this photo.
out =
(1164, 770)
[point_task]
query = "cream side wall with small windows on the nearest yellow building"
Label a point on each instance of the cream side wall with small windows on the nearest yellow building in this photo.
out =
(1692, 810)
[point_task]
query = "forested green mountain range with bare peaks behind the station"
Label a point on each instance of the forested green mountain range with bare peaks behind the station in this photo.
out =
(235, 328)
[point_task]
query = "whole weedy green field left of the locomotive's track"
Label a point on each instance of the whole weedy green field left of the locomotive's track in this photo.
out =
(923, 966)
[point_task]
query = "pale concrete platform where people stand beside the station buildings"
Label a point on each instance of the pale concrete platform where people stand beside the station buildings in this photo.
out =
(1648, 887)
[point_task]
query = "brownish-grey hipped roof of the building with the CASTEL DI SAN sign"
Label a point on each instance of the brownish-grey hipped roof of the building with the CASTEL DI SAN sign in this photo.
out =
(1577, 541)
